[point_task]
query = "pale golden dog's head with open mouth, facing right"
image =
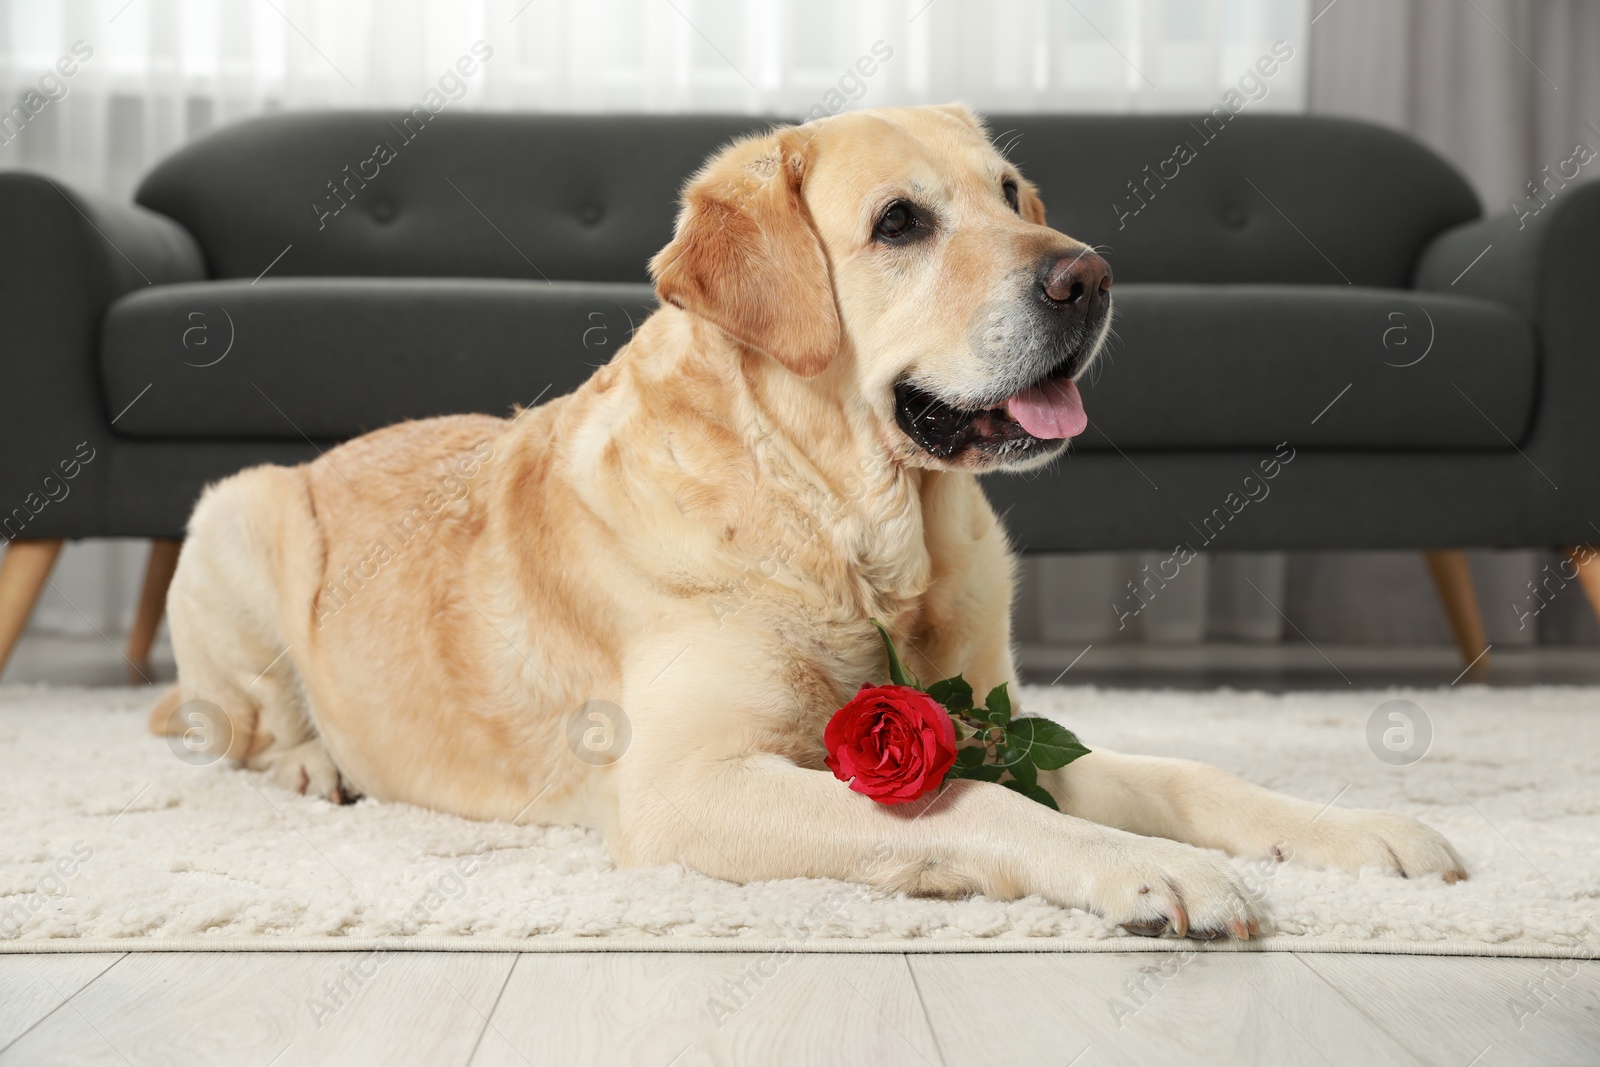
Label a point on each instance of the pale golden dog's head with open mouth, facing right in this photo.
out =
(903, 263)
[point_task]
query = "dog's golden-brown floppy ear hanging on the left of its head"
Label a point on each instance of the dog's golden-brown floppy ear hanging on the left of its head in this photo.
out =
(748, 258)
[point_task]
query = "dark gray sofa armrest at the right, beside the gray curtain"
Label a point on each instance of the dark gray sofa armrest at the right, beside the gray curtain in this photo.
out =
(1545, 266)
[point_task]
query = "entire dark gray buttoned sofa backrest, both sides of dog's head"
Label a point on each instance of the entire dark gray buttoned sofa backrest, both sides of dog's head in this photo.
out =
(1294, 199)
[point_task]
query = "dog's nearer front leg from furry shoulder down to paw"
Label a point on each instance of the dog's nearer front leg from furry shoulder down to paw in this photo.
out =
(702, 786)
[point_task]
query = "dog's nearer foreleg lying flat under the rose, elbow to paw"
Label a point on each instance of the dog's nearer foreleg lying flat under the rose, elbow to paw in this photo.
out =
(761, 818)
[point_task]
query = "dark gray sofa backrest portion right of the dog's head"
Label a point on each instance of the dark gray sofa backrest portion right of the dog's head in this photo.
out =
(1266, 199)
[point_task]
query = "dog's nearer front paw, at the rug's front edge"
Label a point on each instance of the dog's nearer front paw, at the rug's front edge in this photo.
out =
(1153, 887)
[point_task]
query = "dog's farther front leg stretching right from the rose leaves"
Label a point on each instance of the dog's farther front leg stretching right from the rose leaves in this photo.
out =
(1209, 807)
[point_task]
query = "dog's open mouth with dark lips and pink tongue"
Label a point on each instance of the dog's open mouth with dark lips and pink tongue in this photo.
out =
(1047, 412)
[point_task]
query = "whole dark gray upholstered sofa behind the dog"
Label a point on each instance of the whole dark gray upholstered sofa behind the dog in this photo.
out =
(286, 284)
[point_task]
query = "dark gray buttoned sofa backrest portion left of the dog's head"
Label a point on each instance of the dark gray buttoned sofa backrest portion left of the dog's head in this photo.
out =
(564, 198)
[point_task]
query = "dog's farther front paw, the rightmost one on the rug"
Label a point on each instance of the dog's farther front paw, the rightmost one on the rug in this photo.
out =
(1351, 841)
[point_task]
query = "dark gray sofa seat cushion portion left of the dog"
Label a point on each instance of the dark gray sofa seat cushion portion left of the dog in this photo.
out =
(335, 358)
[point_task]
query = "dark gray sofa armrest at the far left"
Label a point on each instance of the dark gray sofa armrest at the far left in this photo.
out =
(63, 260)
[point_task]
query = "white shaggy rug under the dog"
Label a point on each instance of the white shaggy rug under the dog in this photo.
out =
(111, 842)
